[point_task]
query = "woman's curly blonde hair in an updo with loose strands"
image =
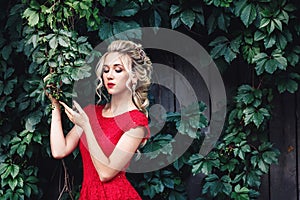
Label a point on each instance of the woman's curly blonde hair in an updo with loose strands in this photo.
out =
(141, 68)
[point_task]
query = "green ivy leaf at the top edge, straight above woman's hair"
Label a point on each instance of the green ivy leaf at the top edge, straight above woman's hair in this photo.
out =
(125, 9)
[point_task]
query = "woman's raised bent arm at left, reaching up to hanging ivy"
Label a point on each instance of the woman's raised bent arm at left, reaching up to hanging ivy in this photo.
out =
(62, 146)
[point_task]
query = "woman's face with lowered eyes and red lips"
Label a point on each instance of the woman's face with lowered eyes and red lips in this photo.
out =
(115, 74)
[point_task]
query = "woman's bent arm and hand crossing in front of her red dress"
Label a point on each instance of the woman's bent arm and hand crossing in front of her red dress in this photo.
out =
(107, 167)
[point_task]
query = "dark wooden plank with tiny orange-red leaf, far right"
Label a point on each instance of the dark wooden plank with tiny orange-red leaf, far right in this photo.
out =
(283, 180)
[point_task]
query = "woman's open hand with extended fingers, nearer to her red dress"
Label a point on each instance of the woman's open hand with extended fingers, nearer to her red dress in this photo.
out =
(78, 117)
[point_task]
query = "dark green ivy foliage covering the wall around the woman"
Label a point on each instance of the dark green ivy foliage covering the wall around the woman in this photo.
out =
(45, 43)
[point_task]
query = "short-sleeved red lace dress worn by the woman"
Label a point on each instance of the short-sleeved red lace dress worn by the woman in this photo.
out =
(108, 131)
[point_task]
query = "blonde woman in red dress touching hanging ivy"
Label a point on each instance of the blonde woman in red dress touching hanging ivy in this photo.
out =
(108, 135)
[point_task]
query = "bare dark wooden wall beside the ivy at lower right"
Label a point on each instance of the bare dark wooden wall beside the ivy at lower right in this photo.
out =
(283, 181)
